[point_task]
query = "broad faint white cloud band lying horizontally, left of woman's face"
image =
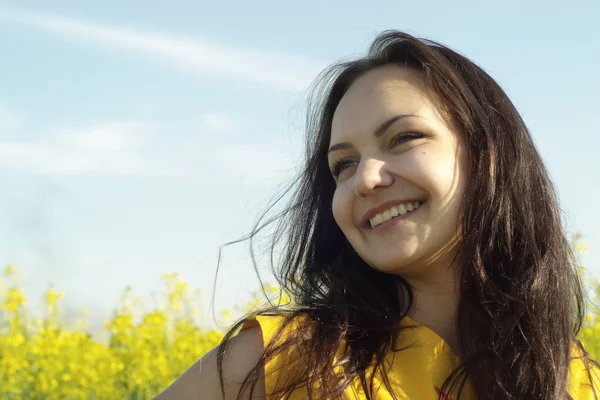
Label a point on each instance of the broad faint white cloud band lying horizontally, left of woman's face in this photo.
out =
(142, 149)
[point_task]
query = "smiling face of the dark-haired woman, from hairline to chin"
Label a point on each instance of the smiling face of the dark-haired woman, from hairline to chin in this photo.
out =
(400, 173)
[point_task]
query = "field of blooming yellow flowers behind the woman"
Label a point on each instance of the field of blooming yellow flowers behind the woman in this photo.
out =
(45, 358)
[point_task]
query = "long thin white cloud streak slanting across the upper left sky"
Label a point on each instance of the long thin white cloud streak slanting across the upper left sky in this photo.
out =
(287, 71)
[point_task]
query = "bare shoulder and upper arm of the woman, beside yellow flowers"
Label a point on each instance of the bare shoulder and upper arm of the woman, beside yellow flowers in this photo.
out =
(201, 380)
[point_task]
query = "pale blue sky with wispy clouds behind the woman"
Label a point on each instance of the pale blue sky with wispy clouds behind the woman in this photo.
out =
(136, 137)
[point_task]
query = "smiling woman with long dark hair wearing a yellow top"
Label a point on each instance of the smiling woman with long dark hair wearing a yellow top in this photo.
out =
(423, 248)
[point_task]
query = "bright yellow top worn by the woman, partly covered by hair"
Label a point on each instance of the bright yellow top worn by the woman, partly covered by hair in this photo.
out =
(417, 372)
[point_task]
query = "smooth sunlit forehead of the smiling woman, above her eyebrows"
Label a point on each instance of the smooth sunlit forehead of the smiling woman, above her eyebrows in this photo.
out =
(379, 95)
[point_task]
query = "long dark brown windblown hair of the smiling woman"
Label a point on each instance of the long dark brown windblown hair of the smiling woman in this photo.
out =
(521, 301)
